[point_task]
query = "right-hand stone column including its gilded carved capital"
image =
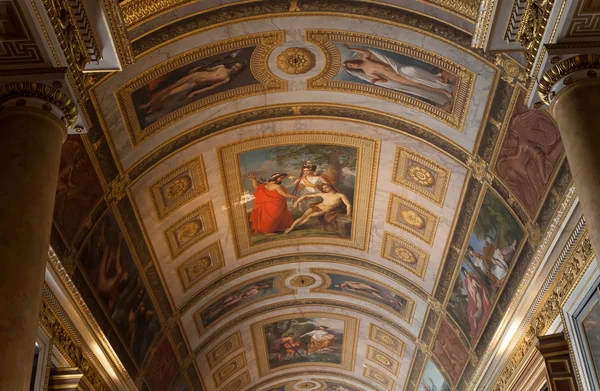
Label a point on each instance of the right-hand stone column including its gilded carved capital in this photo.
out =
(573, 90)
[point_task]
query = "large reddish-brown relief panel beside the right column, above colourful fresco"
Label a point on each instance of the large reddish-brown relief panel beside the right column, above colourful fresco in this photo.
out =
(530, 153)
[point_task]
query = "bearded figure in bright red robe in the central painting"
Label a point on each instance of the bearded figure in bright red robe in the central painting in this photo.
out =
(270, 213)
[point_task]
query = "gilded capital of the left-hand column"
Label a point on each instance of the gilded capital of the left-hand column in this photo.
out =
(24, 94)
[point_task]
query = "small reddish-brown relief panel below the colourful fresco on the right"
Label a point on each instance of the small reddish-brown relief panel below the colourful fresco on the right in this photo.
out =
(449, 351)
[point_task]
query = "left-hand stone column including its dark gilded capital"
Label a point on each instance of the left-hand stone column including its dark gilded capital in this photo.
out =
(33, 126)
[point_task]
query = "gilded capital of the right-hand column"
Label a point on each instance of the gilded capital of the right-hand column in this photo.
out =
(566, 73)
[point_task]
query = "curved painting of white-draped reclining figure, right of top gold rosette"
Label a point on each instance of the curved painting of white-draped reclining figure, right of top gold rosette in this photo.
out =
(382, 68)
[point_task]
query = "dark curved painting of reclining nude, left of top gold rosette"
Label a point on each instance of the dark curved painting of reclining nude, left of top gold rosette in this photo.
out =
(192, 82)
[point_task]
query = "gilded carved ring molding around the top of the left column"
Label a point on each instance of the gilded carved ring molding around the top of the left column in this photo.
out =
(24, 89)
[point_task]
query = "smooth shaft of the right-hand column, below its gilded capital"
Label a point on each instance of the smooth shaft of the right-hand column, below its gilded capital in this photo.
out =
(577, 112)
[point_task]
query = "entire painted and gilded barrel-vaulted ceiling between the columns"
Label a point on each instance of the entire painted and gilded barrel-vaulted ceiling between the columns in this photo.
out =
(327, 195)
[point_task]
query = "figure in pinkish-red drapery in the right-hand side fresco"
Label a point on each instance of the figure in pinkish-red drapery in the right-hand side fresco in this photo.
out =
(478, 307)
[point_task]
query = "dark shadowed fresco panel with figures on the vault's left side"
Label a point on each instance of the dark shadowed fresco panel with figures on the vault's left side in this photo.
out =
(111, 271)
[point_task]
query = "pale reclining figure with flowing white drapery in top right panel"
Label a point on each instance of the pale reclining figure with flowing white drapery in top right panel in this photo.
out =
(376, 68)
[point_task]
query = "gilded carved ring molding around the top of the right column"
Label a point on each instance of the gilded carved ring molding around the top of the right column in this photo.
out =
(563, 71)
